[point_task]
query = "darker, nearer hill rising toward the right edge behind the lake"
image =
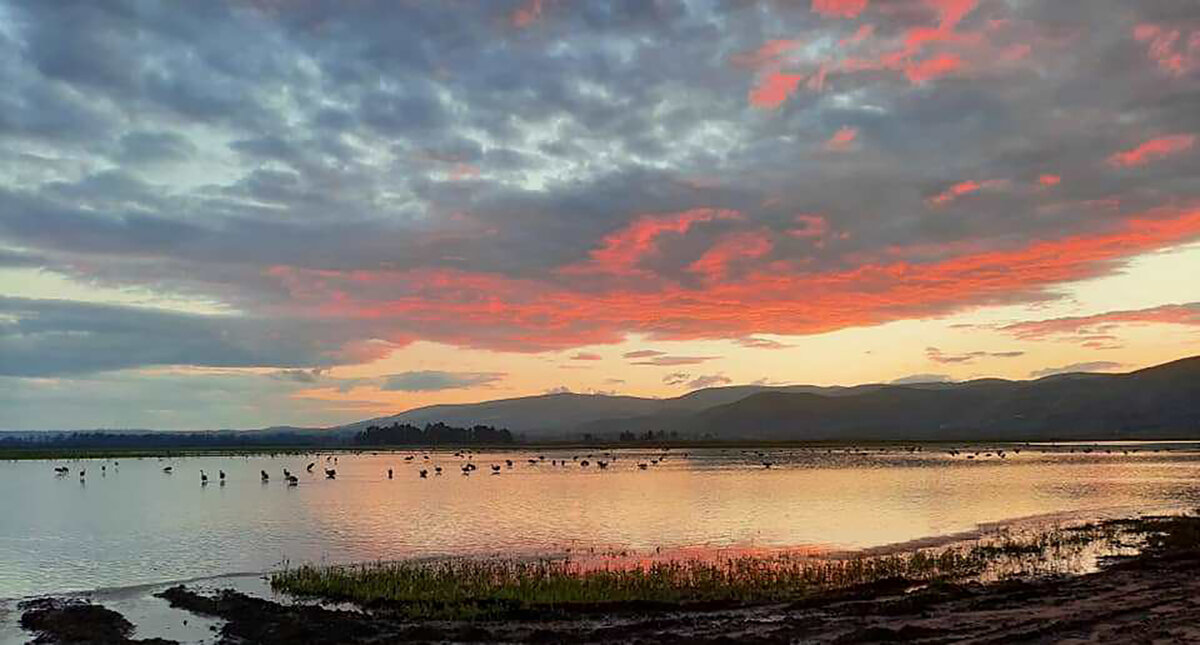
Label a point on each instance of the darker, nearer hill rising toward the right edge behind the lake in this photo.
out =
(1159, 402)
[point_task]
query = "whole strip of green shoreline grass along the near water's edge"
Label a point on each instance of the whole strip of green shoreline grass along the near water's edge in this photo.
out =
(470, 589)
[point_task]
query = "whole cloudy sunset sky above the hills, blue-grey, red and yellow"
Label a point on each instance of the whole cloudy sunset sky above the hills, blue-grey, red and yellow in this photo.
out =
(245, 214)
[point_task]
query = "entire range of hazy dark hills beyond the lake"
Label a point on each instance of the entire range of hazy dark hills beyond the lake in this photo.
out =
(1159, 402)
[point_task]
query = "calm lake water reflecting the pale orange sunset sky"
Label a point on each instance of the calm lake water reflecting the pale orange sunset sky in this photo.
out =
(135, 525)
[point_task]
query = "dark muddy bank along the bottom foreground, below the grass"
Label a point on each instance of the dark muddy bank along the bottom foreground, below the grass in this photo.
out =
(1150, 598)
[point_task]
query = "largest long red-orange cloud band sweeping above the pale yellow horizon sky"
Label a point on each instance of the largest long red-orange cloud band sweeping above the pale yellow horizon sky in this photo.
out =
(499, 312)
